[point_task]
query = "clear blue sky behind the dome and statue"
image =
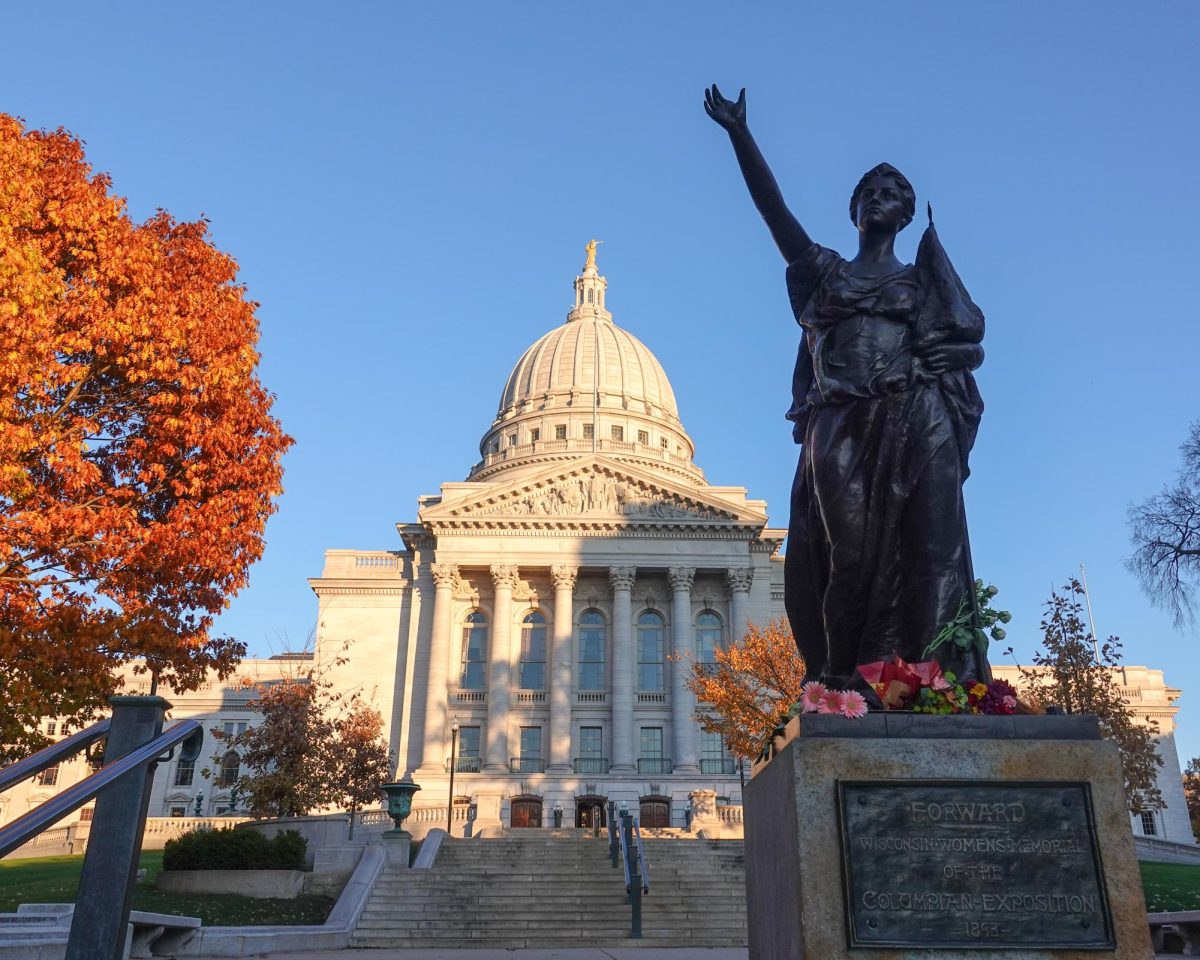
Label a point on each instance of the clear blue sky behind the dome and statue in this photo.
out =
(409, 189)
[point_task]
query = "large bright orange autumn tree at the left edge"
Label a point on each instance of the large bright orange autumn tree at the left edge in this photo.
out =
(139, 458)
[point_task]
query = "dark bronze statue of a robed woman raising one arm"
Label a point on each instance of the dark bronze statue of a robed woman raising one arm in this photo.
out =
(886, 410)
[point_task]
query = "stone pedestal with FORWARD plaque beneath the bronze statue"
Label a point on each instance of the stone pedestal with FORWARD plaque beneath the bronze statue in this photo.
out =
(946, 838)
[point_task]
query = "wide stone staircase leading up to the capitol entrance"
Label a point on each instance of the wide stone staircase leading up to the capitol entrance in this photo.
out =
(557, 889)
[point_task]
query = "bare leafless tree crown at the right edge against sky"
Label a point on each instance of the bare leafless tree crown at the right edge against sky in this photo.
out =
(1166, 535)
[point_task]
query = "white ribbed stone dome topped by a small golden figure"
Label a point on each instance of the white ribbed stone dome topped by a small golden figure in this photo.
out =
(587, 387)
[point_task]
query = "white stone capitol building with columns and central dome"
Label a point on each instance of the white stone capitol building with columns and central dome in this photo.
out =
(538, 621)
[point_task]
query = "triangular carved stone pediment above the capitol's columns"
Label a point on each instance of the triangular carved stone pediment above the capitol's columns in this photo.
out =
(592, 490)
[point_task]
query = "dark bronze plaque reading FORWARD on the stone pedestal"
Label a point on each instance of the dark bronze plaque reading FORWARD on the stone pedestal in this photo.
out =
(967, 863)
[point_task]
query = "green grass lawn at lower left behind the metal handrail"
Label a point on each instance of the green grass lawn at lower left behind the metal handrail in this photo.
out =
(56, 880)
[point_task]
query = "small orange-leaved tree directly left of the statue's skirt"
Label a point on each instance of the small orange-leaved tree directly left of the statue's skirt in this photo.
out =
(749, 687)
